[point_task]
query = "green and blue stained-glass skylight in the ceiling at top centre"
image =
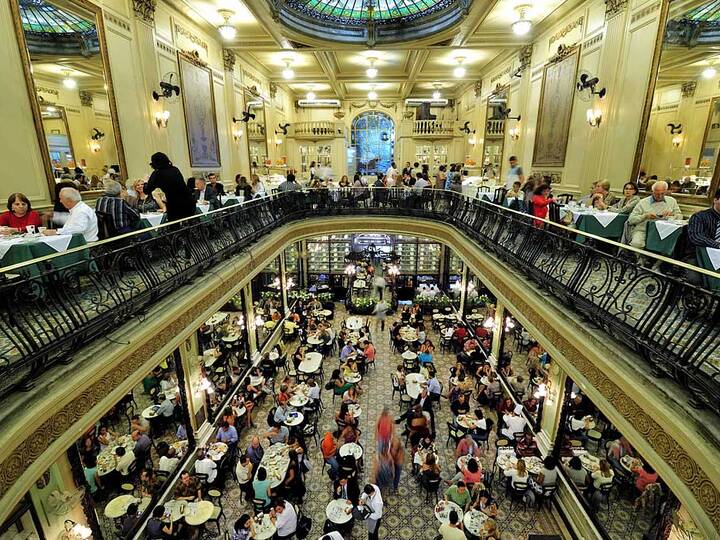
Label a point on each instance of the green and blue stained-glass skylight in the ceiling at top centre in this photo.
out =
(358, 11)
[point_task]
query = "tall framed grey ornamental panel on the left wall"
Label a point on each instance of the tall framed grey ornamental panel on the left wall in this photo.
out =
(199, 106)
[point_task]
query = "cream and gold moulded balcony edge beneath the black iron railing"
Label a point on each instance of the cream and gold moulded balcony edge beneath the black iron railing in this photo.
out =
(71, 413)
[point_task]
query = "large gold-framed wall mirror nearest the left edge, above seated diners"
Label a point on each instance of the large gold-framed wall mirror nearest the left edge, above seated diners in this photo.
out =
(62, 44)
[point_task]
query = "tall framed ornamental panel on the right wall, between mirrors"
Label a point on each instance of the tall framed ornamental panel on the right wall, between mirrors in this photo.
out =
(556, 101)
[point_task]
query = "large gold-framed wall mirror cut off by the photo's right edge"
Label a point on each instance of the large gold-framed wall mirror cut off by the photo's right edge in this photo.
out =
(682, 130)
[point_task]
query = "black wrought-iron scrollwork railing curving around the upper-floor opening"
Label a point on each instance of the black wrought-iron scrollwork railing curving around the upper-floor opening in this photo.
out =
(51, 307)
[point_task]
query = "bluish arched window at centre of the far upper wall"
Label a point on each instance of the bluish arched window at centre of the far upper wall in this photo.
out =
(373, 142)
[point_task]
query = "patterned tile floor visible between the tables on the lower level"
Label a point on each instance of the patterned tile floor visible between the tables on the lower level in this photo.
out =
(406, 513)
